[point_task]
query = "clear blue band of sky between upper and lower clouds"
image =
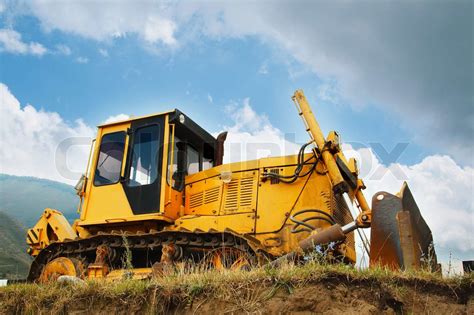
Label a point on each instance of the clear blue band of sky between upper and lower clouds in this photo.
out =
(132, 79)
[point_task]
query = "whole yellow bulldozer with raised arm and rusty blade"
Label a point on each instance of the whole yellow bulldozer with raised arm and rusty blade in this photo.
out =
(156, 193)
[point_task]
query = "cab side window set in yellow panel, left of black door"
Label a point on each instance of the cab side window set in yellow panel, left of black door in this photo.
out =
(109, 164)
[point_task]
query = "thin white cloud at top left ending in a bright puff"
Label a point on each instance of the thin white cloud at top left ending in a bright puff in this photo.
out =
(104, 21)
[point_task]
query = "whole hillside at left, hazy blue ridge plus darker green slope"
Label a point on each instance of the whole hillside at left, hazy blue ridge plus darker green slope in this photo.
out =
(22, 200)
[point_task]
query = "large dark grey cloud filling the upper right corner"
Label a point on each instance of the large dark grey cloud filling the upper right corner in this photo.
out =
(412, 59)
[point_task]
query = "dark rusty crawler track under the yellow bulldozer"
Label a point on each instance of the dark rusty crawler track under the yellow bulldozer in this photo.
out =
(145, 247)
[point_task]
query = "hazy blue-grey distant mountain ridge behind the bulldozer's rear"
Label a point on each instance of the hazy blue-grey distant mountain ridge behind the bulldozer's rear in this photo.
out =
(24, 198)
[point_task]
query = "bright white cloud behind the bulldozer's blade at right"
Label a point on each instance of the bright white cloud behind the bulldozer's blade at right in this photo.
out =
(443, 191)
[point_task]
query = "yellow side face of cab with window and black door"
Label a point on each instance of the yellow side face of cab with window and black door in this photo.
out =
(126, 173)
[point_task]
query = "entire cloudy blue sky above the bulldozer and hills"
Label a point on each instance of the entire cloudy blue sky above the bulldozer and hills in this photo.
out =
(394, 78)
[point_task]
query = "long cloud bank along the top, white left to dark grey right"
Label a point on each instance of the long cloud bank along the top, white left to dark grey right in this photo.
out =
(411, 58)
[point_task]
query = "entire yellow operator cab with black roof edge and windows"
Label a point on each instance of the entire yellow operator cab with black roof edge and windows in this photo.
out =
(137, 168)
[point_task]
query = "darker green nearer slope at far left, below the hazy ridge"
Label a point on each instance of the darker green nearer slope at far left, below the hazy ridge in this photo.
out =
(14, 261)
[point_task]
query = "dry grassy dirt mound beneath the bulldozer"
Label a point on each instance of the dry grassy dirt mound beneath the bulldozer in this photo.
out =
(314, 289)
